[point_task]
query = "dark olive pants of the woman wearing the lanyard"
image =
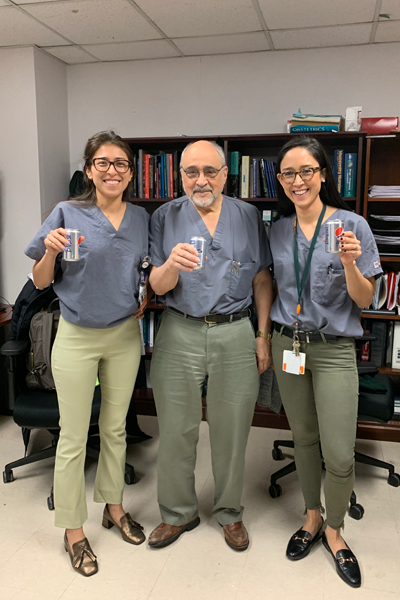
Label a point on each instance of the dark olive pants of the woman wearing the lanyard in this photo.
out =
(321, 407)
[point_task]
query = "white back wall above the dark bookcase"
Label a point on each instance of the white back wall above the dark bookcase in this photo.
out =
(232, 94)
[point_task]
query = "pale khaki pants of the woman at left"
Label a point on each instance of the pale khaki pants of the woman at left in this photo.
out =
(80, 354)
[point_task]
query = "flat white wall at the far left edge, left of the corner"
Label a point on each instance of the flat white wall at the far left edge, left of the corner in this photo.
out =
(19, 168)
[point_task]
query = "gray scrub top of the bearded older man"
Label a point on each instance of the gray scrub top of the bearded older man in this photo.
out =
(220, 287)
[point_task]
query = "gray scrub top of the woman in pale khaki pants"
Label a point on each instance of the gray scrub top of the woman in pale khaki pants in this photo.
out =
(101, 289)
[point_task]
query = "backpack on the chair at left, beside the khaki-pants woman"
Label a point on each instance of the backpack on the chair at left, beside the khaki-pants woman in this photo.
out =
(42, 332)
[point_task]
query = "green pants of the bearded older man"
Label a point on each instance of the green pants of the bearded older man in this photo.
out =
(185, 352)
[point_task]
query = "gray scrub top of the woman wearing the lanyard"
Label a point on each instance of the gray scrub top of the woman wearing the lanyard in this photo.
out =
(326, 305)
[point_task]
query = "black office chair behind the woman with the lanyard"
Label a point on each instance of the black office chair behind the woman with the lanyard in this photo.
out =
(372, 407)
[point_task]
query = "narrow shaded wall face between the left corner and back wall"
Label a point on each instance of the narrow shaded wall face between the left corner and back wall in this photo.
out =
(52, 128)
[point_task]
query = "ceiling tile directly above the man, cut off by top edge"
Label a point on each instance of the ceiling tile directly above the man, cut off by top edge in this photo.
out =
(201, 17)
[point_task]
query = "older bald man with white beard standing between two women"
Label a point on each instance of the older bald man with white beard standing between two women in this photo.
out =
(205, 331)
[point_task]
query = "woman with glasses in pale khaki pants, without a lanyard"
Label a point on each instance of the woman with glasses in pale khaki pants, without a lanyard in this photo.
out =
(98, 335)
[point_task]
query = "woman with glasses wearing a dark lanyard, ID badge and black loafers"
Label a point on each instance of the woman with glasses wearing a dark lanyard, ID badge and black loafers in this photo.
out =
(316, 317)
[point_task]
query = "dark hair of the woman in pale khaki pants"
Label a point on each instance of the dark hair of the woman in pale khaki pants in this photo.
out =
(88, 196)
